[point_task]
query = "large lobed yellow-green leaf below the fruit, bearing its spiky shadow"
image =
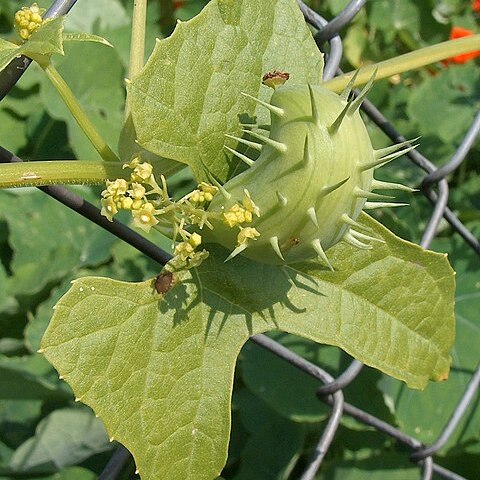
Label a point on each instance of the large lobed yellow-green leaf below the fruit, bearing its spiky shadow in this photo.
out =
(159, 369)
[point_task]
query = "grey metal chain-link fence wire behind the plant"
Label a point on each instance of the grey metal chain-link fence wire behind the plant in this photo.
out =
(434, 185)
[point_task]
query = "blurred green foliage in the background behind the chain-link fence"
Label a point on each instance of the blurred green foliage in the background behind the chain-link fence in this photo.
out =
(45, 434)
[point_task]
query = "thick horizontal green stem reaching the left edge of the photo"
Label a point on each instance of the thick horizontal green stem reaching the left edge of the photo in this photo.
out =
(59, 172)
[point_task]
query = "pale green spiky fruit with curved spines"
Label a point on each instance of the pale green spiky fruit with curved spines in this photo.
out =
(312, 179)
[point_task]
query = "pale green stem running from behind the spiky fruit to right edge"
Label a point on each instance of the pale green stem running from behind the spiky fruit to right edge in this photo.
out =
(408, 61)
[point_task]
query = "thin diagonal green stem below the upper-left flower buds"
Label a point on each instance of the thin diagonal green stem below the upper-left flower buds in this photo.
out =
(80, 116)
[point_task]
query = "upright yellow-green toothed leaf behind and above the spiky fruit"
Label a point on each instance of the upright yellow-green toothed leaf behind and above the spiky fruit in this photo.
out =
(188, 94)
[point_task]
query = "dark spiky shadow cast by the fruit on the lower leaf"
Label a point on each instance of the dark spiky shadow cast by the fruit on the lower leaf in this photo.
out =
(240, 287)
